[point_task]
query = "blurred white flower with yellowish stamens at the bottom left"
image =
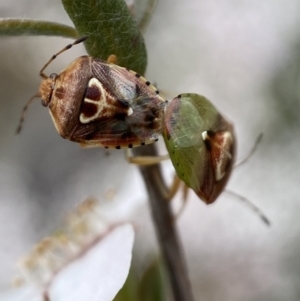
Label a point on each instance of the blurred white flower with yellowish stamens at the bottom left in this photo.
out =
(87, 259)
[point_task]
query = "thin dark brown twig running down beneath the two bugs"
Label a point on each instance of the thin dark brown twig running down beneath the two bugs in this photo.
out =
(165, 227)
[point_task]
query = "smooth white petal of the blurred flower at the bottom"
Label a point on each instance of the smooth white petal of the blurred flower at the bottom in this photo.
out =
(100, 273)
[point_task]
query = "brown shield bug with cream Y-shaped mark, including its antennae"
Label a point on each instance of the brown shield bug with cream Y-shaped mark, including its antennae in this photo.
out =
(98, 103)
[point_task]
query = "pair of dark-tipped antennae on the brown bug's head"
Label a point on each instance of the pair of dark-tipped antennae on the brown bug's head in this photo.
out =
(44, 76)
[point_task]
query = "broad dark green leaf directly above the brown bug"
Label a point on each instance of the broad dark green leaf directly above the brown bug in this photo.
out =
(111, 30)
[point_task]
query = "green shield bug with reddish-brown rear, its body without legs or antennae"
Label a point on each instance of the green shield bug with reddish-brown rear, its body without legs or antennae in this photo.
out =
(201, 144)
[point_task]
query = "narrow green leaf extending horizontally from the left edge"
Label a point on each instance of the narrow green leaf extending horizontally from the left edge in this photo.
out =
(18, 27)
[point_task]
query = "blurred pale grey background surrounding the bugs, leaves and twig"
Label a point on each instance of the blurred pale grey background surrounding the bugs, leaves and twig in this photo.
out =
(242, 55)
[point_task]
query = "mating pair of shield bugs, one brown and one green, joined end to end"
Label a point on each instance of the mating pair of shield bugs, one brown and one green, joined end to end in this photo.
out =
(98, 103)
